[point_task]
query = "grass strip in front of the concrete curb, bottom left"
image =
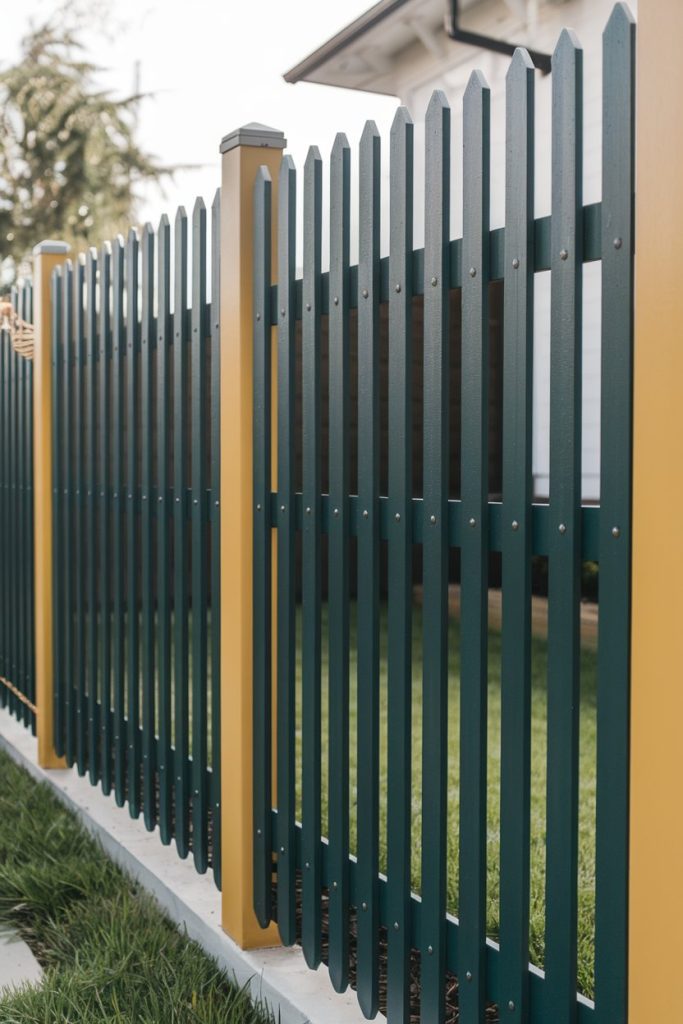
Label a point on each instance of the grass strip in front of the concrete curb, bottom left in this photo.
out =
(110, 956)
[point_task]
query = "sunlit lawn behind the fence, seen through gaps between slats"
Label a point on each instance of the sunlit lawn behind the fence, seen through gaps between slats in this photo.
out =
(587, 780)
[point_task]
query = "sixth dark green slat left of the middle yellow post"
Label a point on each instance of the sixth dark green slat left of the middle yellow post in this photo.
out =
(133, 420)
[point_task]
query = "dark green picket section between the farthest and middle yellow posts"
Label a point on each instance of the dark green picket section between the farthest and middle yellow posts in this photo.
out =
(136, 525)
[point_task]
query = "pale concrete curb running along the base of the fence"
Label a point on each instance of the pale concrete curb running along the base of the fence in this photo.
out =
(279, 977)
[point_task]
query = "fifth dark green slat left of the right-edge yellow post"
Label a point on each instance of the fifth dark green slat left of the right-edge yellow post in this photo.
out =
(436, 559)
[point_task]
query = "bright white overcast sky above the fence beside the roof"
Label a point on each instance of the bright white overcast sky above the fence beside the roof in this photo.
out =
(214, 67)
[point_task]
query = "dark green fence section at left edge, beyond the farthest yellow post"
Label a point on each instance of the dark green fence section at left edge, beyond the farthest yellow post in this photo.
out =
(18, 652)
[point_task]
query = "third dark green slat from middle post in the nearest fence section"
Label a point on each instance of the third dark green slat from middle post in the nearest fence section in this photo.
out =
(311, 583)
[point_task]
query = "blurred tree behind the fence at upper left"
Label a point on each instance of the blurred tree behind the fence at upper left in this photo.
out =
(70, 163)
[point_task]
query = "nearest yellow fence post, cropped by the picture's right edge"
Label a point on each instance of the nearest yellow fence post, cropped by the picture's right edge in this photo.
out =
(656, 980)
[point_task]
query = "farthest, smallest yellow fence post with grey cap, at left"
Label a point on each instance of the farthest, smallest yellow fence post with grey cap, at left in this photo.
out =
(47, 257)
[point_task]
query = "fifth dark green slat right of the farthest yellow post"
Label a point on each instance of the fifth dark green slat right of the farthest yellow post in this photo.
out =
(105, 490)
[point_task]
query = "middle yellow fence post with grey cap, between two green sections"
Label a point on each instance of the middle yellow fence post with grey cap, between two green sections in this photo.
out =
(243, 153)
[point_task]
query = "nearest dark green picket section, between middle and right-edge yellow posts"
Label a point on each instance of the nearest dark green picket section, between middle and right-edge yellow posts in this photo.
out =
(354, 515)
